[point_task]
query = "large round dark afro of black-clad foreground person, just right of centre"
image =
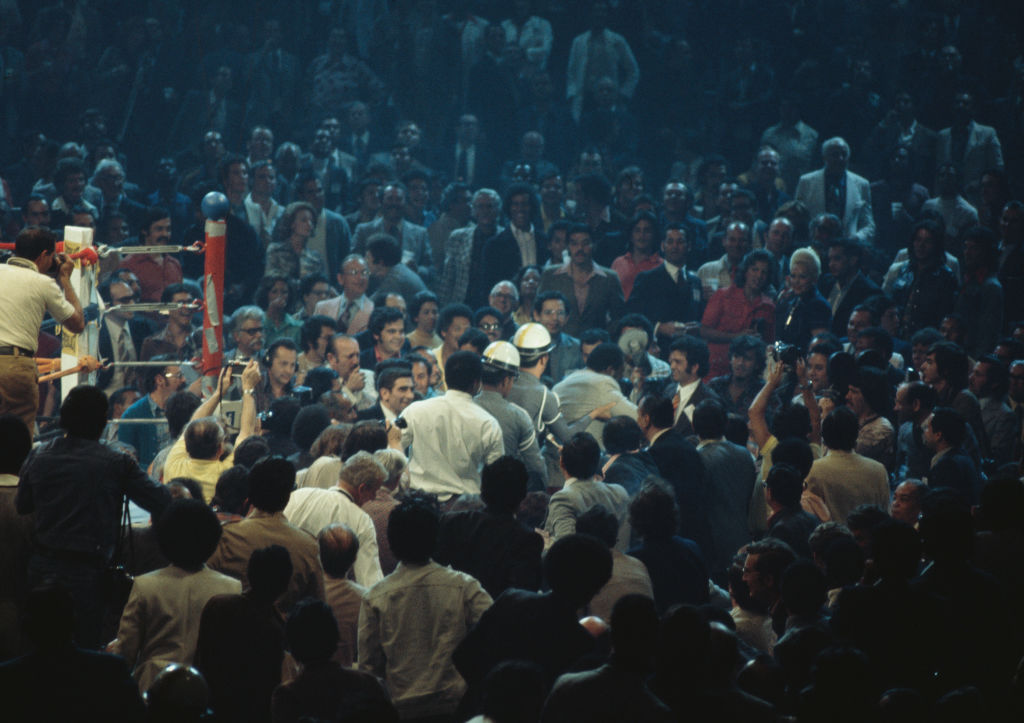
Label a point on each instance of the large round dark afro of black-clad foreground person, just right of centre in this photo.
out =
(576, 568)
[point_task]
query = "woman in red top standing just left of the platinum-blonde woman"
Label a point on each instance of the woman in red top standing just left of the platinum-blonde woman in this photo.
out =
(740, 310)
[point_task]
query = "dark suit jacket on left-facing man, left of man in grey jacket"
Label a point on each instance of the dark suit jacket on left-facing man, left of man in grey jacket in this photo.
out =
(680, 465)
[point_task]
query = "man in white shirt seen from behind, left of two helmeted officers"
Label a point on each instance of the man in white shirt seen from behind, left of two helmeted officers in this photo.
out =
(452, 439)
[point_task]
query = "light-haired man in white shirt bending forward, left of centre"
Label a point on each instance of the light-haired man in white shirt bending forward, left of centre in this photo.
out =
(313, 509)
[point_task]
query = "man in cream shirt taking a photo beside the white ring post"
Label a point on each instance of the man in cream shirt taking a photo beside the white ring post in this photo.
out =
(28, 295)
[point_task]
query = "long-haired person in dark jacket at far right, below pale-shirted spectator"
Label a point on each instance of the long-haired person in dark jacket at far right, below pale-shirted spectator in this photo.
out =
(924, 287)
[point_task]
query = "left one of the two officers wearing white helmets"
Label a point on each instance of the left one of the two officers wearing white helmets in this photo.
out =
(501, 367)
